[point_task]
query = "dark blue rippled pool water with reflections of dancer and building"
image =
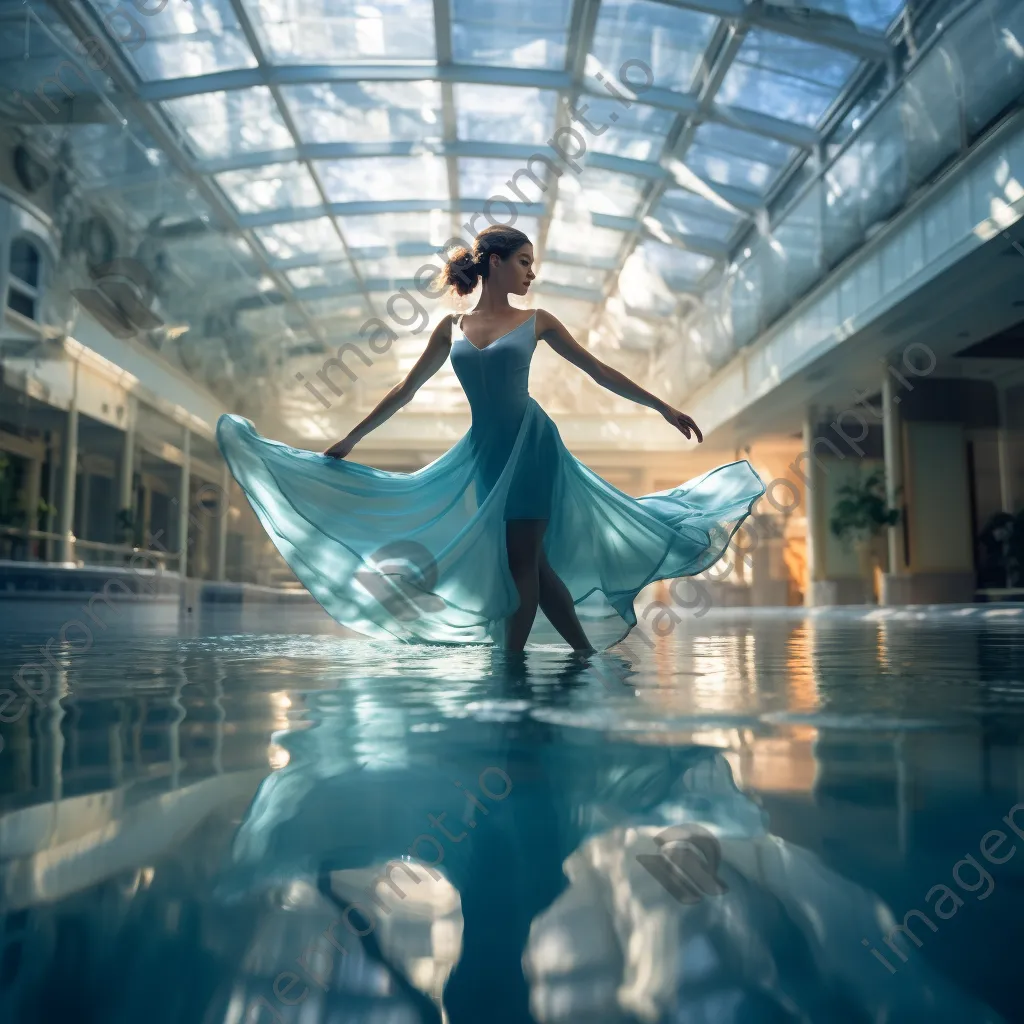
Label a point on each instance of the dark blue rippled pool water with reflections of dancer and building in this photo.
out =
(221, 830)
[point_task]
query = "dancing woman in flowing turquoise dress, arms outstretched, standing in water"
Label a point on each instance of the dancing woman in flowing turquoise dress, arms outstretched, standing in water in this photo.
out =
(508, 521)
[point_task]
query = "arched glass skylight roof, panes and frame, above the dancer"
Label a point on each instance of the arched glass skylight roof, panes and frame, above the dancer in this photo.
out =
(345, 142)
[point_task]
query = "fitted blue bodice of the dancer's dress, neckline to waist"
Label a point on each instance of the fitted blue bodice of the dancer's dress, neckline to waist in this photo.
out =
(496, 378)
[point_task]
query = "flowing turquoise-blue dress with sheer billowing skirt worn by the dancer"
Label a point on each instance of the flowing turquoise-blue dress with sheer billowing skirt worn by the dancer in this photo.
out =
(421, 558)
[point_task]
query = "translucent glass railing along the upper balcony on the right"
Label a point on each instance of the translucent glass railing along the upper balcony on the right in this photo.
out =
(971, 72)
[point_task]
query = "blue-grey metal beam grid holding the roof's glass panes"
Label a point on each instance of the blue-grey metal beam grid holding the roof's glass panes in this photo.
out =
(738, 18)
